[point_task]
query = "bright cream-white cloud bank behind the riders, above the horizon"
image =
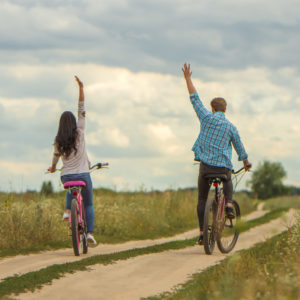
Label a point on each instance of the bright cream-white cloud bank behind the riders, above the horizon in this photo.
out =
(143, 122)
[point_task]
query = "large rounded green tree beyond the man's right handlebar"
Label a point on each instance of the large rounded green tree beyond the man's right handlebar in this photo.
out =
(266, 180)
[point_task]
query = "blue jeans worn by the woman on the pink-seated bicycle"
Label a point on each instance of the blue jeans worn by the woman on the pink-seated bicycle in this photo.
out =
(87, 195)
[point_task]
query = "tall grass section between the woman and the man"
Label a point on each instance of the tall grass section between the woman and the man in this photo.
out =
(144, 215)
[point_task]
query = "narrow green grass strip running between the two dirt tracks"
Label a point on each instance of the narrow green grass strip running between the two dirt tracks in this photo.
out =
(33, 280)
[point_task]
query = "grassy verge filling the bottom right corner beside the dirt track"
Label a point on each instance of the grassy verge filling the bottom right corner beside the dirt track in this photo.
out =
(269, 270)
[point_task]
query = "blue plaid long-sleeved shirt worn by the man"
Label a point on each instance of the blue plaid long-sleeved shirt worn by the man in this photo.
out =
(217, 134)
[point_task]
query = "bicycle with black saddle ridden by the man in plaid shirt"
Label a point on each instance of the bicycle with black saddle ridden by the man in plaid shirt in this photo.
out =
(217, 226)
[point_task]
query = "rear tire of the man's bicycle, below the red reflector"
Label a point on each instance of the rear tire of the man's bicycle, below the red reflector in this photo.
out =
(208, 226)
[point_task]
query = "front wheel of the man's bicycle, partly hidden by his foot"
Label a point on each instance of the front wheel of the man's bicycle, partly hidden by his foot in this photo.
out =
(228, 236)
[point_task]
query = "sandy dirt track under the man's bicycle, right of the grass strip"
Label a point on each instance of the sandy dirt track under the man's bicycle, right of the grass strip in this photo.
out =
(147, 275)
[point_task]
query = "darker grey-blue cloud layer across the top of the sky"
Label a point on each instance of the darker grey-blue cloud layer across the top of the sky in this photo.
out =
(152, 36)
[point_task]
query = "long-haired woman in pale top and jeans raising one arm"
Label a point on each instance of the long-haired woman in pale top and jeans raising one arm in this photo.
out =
(69, 144)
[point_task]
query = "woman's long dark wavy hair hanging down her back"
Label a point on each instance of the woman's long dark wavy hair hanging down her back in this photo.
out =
(66, 137)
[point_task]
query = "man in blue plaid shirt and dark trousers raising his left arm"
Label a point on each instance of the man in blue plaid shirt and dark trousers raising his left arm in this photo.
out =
(213, 148)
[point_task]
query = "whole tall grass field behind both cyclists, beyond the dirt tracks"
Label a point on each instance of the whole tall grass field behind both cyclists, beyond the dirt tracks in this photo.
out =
(33, 222)
